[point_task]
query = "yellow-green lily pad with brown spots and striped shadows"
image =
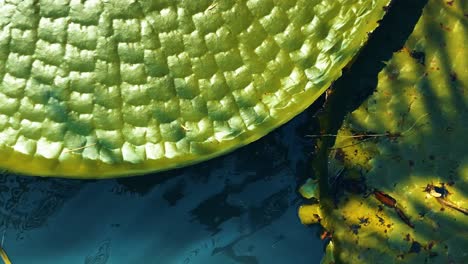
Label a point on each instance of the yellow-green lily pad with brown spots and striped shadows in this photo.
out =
(398, 171)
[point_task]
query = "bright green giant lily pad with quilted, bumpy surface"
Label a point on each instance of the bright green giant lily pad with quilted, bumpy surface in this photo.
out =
(96, 89)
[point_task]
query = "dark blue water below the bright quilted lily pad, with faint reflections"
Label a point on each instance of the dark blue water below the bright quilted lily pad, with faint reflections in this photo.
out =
(238, 208)
